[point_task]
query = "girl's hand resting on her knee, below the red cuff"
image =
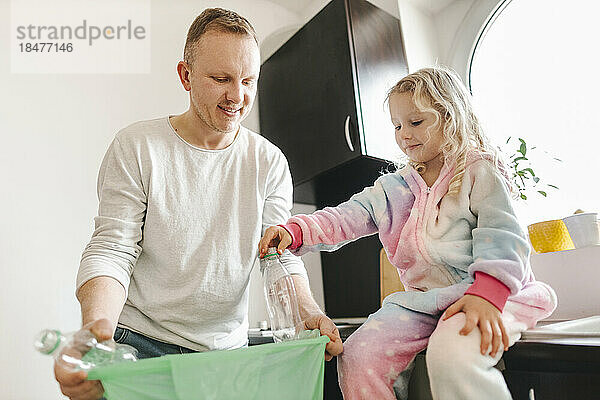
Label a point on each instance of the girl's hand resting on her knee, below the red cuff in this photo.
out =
(484, 314)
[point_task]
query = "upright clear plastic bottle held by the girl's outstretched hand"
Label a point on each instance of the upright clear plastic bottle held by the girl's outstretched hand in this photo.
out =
(280, 294)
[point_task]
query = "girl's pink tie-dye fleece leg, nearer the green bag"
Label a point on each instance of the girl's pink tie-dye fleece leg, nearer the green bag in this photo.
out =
(383, 347)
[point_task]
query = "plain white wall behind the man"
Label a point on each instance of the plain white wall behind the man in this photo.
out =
(55, 130)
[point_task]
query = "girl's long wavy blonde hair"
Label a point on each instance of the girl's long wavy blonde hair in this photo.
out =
(440, 90)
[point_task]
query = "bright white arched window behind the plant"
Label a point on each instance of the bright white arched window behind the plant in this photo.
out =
(535, 75)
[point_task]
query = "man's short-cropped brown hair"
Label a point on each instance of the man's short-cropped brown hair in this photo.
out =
(217, 19)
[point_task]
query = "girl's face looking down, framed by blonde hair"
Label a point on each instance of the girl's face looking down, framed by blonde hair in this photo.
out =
(411, 125)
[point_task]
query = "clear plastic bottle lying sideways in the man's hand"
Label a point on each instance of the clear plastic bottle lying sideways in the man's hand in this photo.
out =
(80, 350)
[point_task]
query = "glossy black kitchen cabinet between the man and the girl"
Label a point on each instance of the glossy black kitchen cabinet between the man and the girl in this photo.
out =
(321, 101)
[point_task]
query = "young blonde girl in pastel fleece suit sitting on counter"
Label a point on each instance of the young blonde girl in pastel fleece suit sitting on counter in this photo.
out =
(446, 222)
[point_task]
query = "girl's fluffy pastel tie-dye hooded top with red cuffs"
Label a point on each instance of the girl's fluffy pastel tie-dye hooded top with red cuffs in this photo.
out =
(443, 246)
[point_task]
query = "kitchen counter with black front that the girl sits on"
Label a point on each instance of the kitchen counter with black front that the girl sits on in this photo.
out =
(553, 362)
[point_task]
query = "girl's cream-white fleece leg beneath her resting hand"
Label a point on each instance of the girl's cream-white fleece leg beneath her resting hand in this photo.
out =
(456, 367)
